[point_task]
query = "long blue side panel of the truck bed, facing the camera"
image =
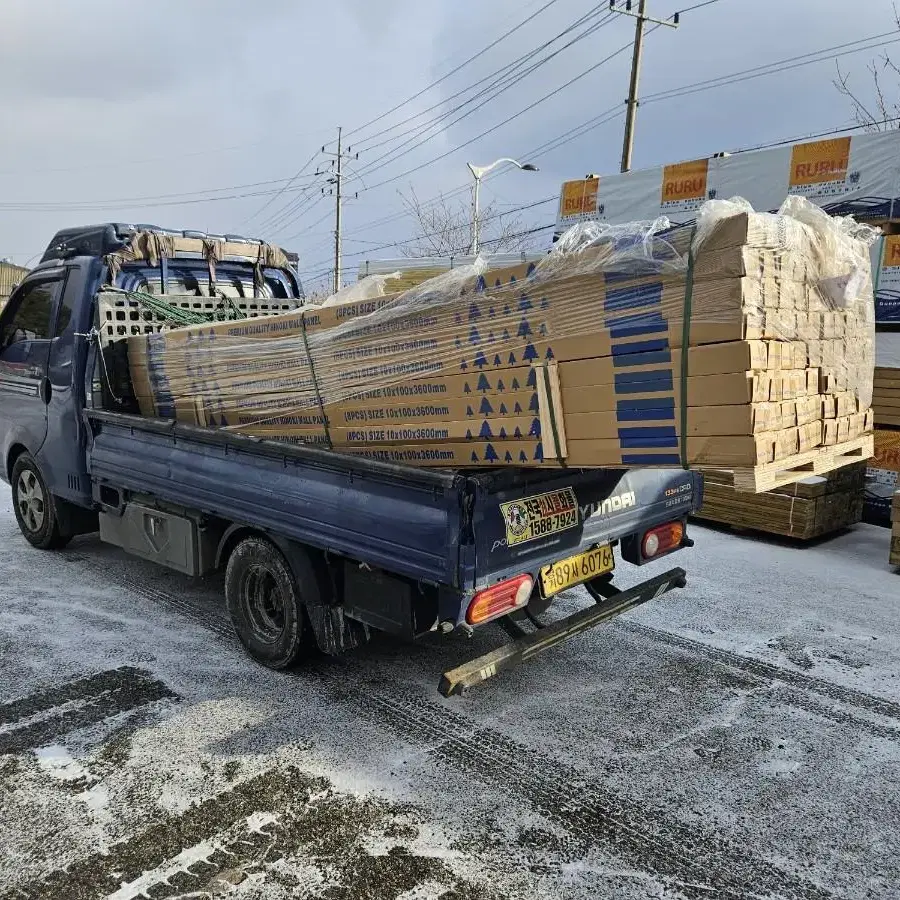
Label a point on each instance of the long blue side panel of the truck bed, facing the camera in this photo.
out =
(407, 526)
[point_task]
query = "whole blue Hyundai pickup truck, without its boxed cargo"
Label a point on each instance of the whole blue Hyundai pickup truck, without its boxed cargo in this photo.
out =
(319, 549)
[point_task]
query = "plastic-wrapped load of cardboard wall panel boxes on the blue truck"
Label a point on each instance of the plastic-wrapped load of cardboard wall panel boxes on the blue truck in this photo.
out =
(746, 343)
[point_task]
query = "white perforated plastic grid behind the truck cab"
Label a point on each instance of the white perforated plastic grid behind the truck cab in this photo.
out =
(122, 316)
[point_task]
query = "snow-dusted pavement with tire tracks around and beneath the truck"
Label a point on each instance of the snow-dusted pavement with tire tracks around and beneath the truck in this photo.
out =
(739, 738)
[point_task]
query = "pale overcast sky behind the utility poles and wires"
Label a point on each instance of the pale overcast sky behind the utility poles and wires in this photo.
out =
(104, 102)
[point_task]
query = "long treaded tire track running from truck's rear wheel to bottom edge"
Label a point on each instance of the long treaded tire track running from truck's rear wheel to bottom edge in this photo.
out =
(701, 863)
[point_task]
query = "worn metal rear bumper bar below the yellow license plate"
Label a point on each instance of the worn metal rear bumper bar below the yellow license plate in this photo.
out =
(524, 648)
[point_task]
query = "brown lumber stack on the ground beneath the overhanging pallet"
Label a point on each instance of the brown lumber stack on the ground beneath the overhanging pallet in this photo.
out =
(808, 508)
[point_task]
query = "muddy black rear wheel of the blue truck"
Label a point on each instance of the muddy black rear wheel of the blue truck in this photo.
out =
(264, 603)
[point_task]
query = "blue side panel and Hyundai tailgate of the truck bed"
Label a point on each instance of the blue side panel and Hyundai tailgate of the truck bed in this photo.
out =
(439, 526)
